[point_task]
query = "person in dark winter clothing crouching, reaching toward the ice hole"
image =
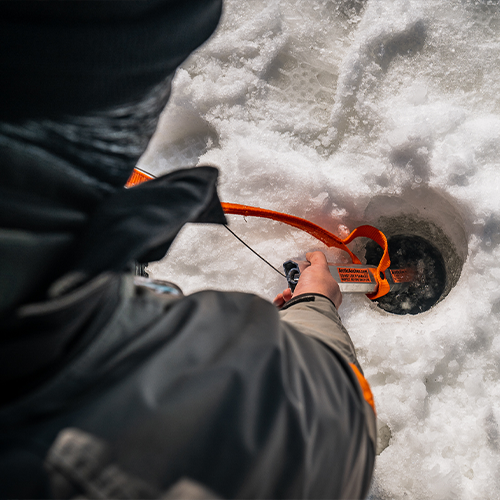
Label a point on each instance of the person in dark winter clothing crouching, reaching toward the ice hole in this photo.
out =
(112, 389)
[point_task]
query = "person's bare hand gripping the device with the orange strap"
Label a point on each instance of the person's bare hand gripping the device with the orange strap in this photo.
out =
(315, 277)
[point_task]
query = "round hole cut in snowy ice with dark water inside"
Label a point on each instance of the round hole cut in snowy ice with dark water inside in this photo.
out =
(426, 233)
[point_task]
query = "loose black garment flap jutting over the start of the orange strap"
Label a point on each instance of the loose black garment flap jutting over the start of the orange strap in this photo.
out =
(141, 223)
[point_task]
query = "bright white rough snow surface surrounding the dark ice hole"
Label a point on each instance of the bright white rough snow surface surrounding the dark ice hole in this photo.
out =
(344, 112)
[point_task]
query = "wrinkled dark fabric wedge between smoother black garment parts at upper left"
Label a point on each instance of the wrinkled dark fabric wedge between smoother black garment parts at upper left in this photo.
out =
(101, 146)
